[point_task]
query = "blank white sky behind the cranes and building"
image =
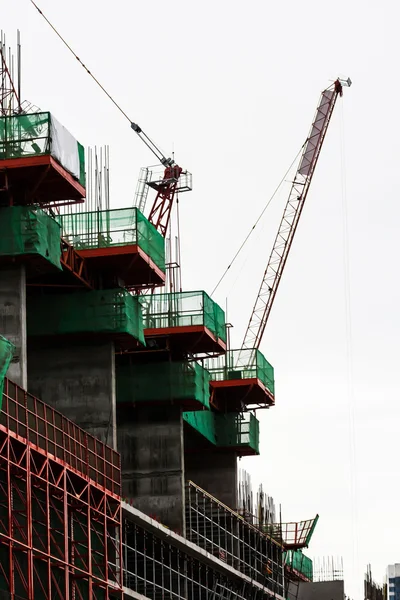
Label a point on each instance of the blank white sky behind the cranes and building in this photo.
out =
(232, 88)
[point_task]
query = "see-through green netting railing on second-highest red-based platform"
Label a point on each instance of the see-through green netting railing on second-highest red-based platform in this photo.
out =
(119, 227)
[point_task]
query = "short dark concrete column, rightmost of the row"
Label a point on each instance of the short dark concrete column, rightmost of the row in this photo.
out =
(216, 472)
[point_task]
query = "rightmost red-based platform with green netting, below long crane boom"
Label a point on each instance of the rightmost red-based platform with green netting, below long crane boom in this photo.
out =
(241, 380)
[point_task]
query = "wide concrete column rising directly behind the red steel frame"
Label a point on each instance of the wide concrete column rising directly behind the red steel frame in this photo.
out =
(79, 381)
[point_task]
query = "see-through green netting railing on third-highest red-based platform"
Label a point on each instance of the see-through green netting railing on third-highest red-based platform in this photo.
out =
(183, 309)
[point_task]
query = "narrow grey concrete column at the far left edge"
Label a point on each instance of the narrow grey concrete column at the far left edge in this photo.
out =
(13, 320)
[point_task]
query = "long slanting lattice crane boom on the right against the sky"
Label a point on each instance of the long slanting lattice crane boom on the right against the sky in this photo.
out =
(291, 216)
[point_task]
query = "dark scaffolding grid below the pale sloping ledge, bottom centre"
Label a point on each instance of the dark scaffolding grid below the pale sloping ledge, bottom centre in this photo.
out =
(159, 565)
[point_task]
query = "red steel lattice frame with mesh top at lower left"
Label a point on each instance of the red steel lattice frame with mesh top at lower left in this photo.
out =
(60, 506)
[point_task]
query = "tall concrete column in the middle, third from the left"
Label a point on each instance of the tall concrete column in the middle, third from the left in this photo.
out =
(150, 440)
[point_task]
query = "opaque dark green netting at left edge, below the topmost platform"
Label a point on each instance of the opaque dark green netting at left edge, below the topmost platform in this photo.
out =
(27, 230)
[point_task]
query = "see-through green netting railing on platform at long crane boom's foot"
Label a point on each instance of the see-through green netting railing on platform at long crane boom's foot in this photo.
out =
(242, 364)
